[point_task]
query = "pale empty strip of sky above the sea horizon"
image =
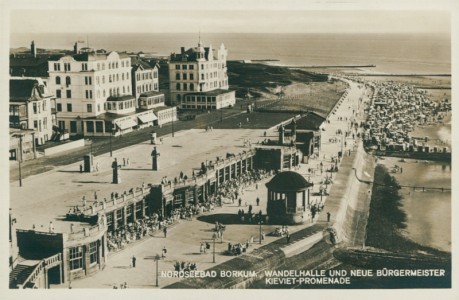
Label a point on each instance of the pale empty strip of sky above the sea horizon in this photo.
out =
(229, 21)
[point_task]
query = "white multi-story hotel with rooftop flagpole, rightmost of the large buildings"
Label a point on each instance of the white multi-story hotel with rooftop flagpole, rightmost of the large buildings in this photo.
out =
(198, 78)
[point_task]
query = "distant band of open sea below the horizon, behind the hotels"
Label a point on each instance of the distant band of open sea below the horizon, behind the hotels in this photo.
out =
(391, 53)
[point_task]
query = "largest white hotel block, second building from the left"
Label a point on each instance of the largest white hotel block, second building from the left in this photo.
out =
(83, 82)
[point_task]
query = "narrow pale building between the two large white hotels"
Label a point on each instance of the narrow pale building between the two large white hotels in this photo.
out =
(144, 77)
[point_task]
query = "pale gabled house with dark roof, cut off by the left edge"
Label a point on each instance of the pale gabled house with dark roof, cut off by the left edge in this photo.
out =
(32, 106)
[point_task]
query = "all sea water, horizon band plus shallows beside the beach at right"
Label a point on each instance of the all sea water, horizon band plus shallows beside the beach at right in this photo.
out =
(390, 53)
